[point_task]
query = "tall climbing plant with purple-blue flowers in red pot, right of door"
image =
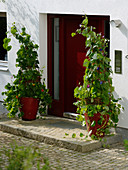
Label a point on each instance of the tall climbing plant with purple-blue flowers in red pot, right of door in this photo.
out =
(95, 99)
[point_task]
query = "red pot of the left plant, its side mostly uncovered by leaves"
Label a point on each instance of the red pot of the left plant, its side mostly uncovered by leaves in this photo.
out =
(29, 107)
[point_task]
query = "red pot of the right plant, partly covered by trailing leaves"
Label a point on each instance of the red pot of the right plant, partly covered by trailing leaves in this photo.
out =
(97, 129)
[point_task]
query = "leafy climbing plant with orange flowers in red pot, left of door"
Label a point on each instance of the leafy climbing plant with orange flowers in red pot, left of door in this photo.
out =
(26, 94)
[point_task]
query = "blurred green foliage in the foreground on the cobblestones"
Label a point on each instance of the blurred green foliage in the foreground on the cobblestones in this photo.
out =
(23, 158)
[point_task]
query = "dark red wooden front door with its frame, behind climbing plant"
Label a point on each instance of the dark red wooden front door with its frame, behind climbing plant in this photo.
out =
(71, 56)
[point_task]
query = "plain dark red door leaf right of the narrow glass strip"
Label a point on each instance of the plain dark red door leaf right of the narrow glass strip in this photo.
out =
(74, 46)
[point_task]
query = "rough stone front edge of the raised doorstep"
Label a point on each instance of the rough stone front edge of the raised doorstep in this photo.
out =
(77, 146)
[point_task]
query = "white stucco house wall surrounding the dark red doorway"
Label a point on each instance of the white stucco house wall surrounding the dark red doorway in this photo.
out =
(33, 15)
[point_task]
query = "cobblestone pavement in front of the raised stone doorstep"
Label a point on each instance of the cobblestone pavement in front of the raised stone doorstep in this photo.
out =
(113, 158)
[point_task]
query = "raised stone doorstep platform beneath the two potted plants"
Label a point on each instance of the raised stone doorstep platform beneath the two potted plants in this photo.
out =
(56, 131)
